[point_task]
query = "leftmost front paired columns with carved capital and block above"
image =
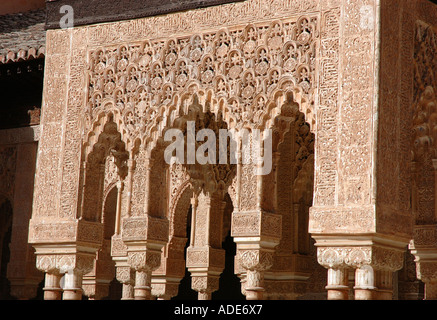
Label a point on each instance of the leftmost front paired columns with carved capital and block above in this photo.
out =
(57, 258)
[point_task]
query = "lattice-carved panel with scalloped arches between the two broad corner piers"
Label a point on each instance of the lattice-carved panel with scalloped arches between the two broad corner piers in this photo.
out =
(252, 77)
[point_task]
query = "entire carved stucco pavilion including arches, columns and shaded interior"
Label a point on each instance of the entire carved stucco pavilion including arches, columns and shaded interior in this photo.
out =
(340, 83)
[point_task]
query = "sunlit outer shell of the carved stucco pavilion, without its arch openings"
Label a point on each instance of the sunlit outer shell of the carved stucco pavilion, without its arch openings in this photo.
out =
(345, 65)
